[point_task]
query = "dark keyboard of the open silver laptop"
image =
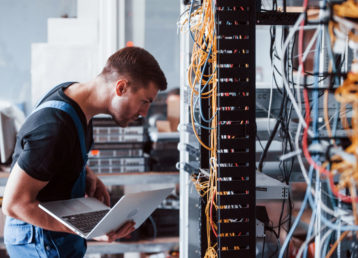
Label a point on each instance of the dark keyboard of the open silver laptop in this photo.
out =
(85, 222)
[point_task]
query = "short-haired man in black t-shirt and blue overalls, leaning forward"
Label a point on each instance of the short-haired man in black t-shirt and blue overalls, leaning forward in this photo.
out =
(51, 152)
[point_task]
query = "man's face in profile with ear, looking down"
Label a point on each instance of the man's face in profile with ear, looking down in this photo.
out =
(128, 104)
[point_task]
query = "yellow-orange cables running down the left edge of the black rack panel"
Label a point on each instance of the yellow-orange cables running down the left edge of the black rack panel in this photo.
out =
(204, 28)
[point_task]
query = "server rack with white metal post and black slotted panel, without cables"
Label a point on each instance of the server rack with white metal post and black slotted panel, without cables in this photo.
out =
(236, 137)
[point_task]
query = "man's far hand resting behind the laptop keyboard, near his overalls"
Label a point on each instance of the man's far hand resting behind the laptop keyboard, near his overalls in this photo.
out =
(95, 187)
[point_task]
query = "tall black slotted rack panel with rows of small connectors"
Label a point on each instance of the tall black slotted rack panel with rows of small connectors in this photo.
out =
(236, 131)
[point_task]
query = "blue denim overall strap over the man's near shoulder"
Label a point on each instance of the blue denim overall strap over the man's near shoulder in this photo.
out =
(79, 187)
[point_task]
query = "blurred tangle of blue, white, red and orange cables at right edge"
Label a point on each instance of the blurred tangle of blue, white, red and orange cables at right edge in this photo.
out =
(329, 162)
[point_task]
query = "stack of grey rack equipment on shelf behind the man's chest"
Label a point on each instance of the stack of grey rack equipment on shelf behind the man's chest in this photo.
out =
(117, 149)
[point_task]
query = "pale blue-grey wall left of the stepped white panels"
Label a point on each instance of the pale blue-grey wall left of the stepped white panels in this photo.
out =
(23, 22)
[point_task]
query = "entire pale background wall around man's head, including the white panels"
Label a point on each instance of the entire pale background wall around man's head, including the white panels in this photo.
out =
(39, 22)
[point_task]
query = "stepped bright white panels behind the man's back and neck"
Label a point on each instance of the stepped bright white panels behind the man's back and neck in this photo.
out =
(71, 51)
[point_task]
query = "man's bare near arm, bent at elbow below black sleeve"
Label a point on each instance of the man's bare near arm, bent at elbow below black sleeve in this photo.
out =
(20, 201)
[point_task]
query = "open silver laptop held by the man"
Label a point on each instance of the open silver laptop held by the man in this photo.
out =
(88, 217)
